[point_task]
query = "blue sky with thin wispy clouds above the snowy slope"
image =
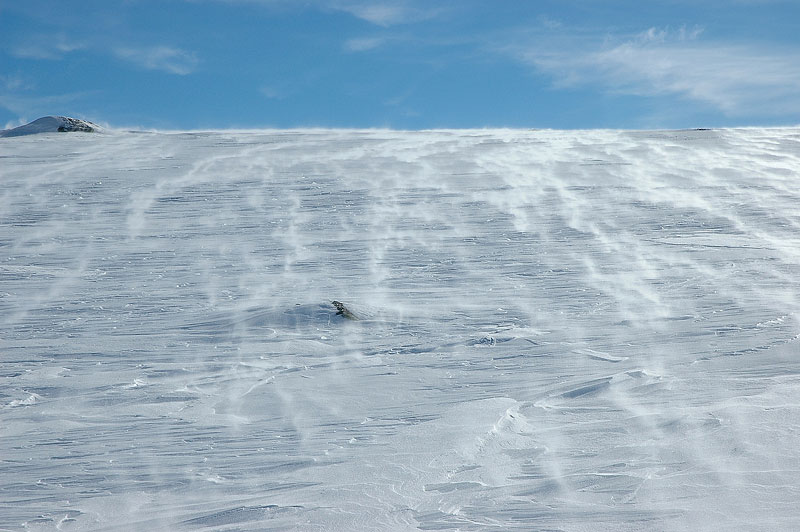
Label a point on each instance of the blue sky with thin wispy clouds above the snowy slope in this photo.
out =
(405, 64)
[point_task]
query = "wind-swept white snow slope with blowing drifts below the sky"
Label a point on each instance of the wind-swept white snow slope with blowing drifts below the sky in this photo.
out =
(574, 331)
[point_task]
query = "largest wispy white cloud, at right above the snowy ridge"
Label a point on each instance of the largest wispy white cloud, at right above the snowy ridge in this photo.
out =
(736, 79)
